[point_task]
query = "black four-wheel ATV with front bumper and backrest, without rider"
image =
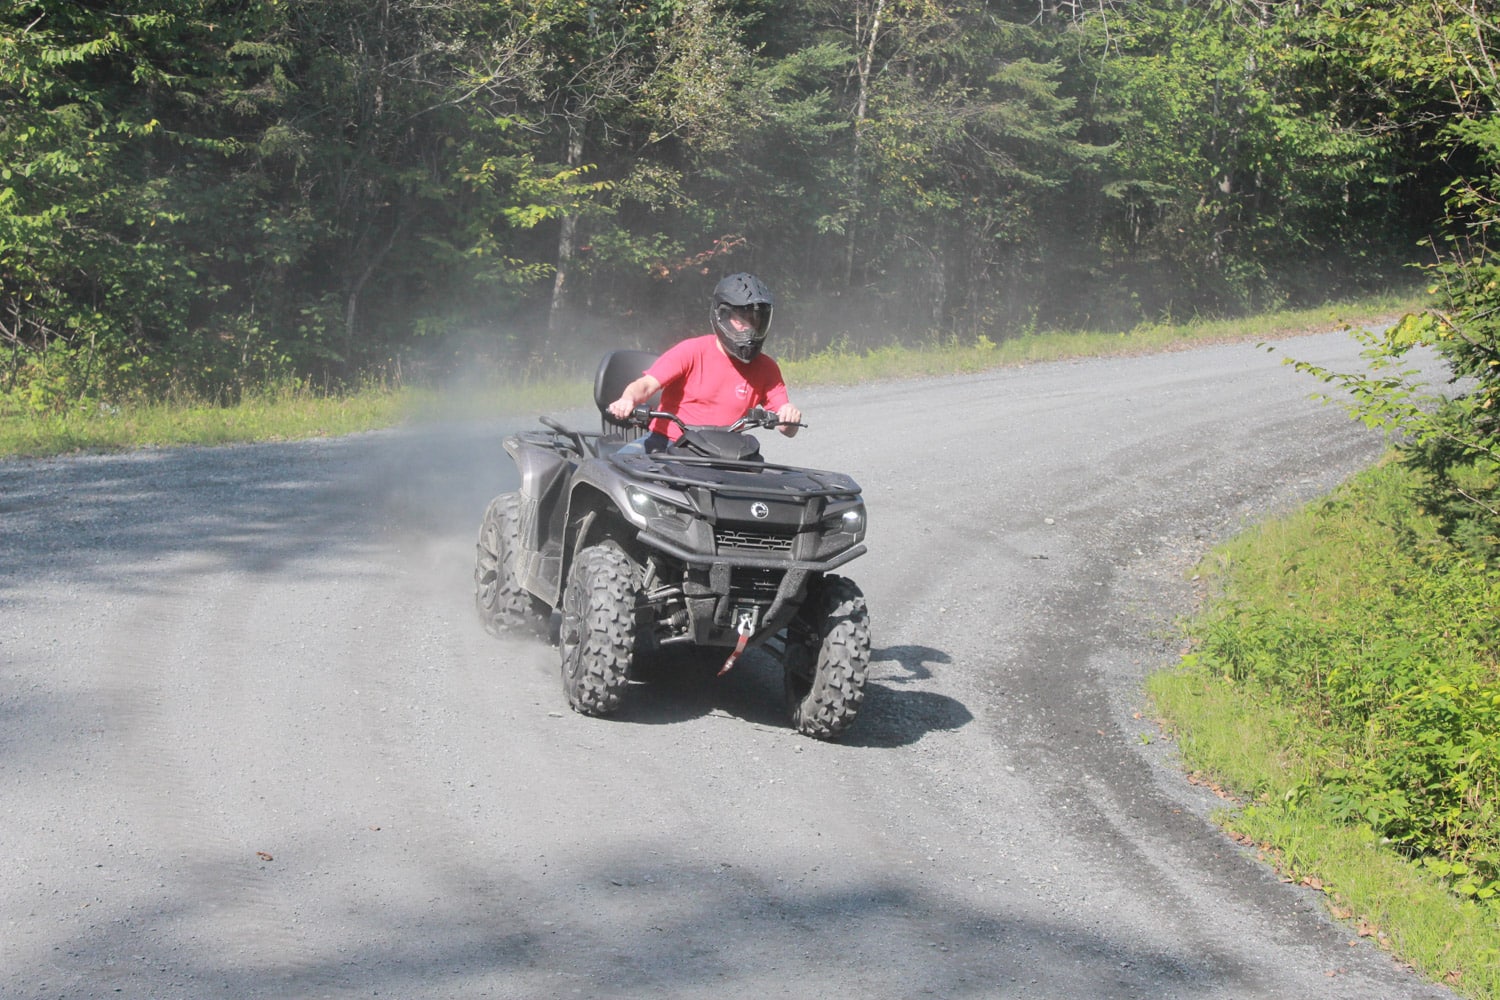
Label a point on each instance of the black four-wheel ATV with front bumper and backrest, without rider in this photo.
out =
(703, 543)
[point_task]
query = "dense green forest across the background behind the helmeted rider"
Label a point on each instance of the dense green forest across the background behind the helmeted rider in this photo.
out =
(202, 197)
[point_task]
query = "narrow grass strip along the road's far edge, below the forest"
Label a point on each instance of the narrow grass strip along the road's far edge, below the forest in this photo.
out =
(292, 415)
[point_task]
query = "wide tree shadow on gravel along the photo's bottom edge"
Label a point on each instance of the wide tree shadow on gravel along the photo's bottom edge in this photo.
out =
(667, 926)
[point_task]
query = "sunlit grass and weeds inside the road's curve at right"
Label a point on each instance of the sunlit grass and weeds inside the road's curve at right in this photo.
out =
(1343, 693)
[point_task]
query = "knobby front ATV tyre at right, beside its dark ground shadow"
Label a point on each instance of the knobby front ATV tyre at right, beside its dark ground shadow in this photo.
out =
(827, 659)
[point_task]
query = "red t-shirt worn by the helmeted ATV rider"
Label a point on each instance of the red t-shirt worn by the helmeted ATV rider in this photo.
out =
(709, 389)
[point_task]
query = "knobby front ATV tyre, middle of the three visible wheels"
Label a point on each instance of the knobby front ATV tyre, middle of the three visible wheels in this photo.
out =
(599, 629)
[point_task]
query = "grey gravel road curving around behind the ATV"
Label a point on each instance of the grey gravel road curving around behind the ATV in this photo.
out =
(254, 741)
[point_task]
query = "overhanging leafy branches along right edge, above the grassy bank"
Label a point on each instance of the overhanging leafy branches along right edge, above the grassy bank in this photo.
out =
(1451, 439)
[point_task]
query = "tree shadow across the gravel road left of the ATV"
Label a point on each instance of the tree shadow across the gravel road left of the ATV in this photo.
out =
(118, 521)
